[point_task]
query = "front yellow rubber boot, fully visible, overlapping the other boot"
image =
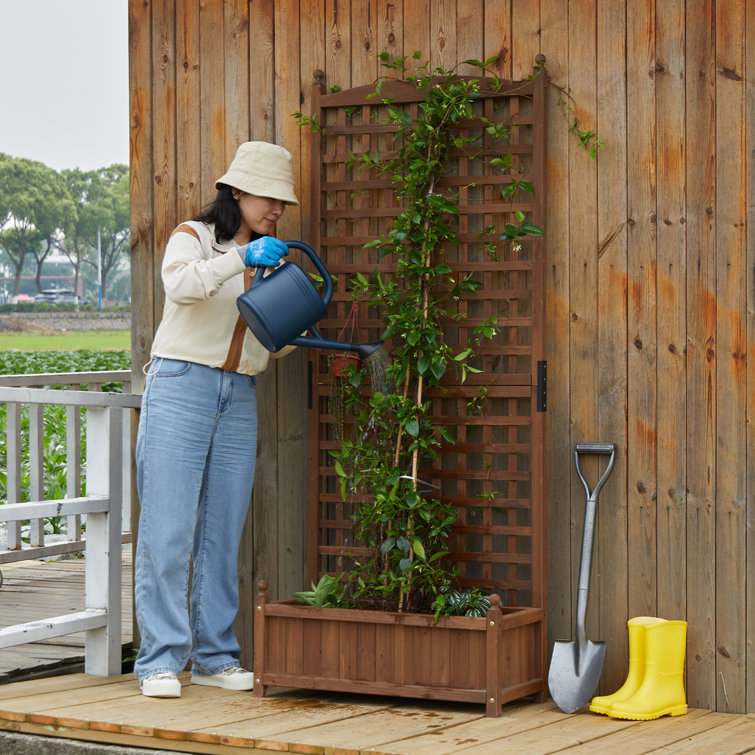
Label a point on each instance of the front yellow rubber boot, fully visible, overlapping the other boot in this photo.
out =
(661, 692)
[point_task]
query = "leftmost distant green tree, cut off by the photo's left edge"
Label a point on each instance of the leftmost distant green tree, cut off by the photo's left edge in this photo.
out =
(36, 207)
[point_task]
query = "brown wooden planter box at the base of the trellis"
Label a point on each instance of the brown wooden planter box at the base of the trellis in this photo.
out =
(490, 660)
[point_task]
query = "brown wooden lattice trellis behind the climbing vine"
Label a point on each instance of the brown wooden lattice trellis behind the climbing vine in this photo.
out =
(494, 471)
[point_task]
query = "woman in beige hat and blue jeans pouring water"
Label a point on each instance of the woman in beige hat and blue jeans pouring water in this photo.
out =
(196, 445)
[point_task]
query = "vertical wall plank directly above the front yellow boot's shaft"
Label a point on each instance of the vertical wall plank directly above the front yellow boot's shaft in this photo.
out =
(671, 327)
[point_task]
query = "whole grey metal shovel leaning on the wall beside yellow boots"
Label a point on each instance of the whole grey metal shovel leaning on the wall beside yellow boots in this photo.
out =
(575, 666)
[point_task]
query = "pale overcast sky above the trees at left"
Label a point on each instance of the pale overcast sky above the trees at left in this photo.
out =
(64, 81)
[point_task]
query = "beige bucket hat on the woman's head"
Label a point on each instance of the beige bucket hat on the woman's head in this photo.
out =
(262, 169)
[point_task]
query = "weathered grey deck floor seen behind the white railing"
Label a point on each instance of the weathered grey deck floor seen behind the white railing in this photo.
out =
(34, 590)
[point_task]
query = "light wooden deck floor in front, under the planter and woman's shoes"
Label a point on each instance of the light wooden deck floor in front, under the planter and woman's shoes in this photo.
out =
(209, 720)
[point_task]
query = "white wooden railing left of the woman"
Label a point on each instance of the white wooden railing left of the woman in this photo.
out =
(107, 473)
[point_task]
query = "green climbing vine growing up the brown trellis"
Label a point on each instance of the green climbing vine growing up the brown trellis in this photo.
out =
(402, 528)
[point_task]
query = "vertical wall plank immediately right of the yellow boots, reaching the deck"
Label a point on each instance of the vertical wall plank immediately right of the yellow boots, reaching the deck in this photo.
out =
(700, 439)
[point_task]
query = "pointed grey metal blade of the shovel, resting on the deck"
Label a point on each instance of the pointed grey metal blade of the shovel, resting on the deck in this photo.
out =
(574, 673)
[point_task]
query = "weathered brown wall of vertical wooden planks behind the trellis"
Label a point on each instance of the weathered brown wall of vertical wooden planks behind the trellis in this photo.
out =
(651, 271)
